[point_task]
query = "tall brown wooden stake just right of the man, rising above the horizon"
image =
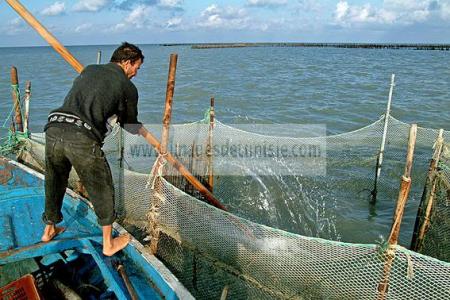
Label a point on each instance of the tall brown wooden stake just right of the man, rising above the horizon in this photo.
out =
(155, 231)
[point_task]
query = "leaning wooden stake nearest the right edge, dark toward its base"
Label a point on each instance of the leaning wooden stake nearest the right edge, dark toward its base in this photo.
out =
(423, 222)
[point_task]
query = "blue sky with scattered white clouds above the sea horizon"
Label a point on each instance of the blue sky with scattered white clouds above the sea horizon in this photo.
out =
(81, 22)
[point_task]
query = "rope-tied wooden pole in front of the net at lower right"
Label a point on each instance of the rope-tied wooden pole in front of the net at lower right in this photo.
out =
(405, 187)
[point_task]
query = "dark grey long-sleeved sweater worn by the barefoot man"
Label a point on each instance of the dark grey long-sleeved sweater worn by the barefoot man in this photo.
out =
(98, 93)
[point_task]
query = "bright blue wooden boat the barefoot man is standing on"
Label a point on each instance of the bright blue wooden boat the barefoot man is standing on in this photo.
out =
(73, 262)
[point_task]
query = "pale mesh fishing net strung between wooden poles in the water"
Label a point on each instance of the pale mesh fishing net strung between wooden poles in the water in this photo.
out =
(287, 235)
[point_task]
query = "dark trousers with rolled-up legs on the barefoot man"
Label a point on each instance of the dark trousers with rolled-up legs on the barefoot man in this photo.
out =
(67, 146)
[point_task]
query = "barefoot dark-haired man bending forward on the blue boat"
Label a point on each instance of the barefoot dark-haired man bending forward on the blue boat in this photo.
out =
(100, 96)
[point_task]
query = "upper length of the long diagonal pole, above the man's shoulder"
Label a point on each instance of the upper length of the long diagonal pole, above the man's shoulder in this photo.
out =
(27, 16)
